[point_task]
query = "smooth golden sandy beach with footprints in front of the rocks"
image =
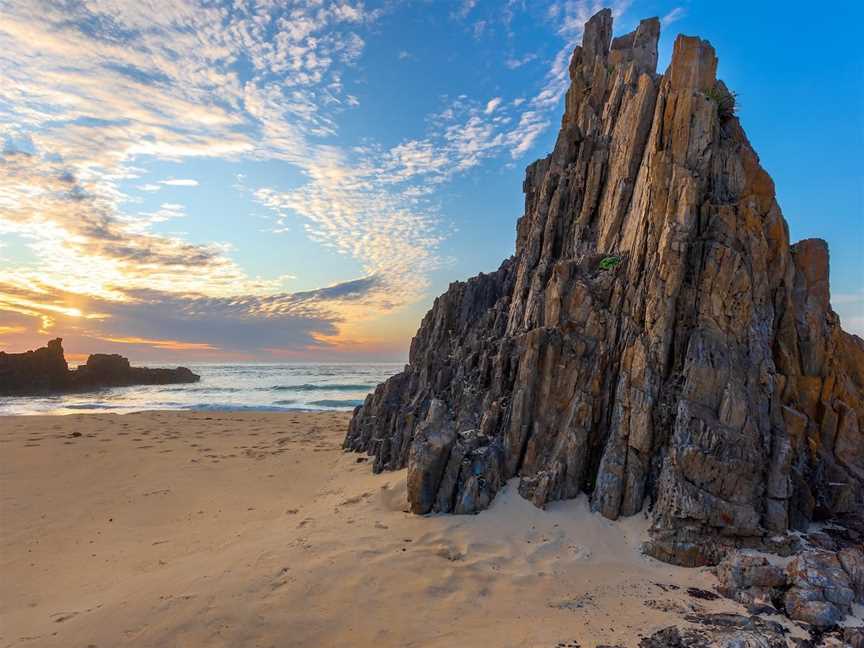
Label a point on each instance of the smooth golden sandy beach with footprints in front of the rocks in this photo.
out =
(255, 529)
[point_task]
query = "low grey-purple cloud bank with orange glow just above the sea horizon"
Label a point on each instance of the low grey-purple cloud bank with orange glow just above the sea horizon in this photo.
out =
(187, 322)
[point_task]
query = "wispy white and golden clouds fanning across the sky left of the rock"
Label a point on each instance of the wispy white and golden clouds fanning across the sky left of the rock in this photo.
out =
(95, 91)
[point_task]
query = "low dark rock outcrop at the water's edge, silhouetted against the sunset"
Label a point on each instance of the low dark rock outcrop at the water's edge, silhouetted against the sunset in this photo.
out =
(45, 370)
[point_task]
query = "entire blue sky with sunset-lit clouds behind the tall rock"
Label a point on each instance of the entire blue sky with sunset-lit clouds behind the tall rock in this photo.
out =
(296, 180)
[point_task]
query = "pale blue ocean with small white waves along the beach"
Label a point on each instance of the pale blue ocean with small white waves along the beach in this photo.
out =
(226, 387)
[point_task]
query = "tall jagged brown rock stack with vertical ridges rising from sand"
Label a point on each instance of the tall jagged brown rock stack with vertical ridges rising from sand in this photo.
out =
(655, 340)
